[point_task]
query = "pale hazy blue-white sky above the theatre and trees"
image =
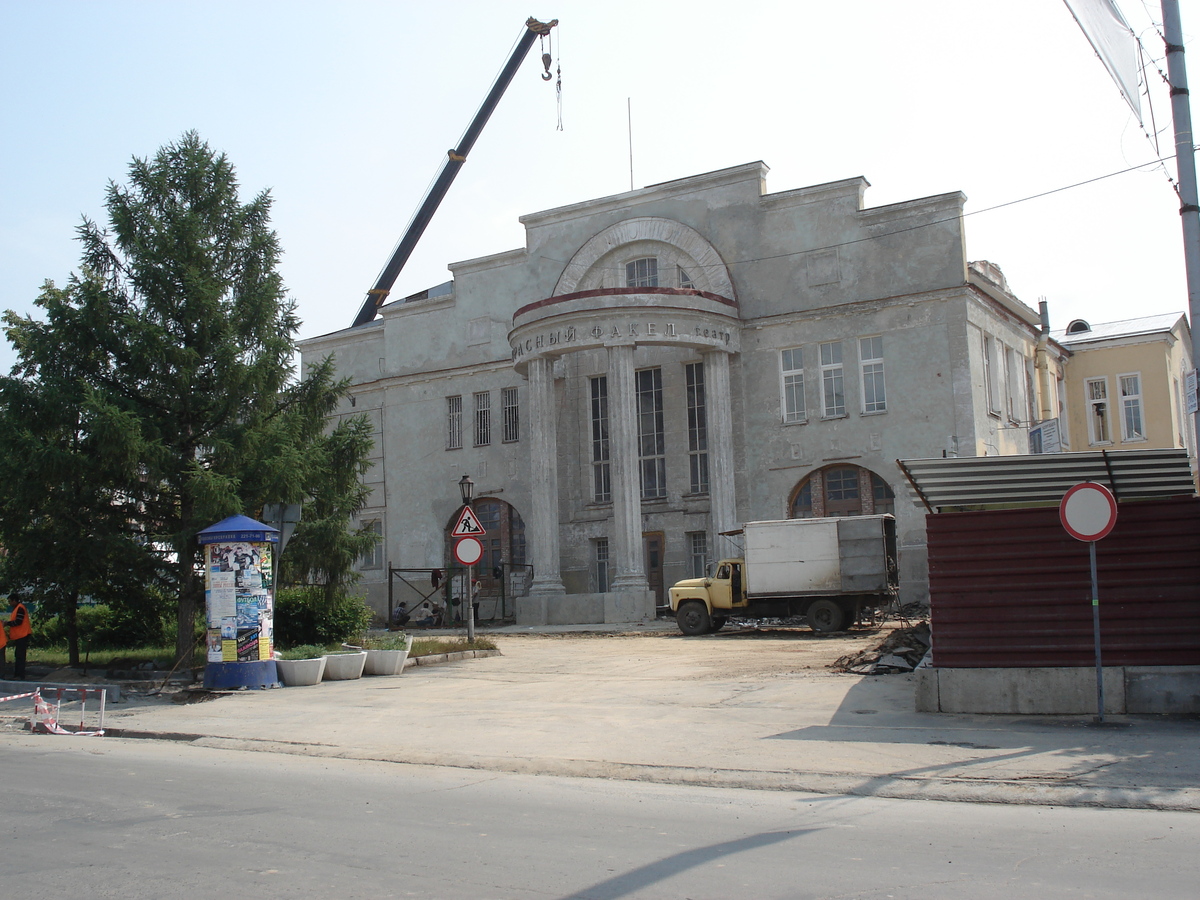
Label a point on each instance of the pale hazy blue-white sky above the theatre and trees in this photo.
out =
(345, 111)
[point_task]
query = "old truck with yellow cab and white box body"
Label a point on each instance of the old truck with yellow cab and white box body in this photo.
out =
(827, 571)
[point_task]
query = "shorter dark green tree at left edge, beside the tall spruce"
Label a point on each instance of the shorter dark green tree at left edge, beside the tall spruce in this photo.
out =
(67, 529)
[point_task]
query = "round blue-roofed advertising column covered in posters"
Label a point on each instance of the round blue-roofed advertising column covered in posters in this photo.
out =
(239, 601)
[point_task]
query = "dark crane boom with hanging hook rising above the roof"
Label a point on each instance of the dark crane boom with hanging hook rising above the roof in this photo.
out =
(455, 159)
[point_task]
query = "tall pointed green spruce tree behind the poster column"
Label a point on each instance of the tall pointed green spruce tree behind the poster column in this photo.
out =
(177, 344)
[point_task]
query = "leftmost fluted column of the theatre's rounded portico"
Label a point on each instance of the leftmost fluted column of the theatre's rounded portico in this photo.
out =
(544, 473)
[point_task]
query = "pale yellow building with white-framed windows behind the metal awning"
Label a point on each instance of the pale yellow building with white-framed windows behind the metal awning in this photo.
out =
(1125, 383)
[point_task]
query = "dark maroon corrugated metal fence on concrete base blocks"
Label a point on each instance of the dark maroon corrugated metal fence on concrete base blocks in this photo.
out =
(1012, 589)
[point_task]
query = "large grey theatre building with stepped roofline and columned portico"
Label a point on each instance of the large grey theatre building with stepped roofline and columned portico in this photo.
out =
(656, 368)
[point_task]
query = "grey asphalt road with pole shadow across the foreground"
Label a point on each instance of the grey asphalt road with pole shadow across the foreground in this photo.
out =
(137, 819)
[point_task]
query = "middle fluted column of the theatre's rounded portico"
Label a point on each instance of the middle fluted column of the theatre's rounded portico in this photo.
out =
(627, 487)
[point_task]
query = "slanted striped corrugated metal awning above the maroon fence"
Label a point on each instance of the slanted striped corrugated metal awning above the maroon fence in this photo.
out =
(1046, 478)
